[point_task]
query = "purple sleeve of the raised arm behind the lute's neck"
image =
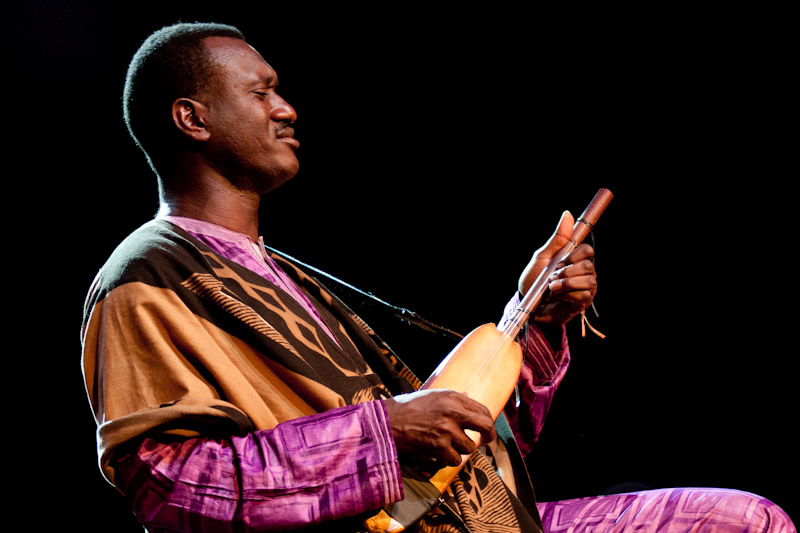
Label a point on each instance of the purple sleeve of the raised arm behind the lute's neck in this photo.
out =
(543, 368)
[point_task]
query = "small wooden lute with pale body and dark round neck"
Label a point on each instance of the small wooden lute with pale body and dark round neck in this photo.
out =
(485, 365)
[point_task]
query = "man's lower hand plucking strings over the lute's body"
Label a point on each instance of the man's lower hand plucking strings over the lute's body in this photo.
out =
(428, 427)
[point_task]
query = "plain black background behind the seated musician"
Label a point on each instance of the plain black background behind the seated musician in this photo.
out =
(439, 148)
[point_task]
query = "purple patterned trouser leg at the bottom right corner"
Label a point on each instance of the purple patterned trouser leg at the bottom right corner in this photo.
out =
(667, 511)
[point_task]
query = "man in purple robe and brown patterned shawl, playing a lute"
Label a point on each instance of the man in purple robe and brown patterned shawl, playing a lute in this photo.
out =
(234, 392)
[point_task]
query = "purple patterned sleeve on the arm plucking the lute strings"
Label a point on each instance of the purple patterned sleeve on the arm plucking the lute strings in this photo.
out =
(314, 469)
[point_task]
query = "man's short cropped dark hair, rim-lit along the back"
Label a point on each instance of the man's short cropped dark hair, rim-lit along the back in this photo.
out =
(172, 63)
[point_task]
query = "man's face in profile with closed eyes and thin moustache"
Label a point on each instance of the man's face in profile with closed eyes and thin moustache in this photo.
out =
(251, 142)
